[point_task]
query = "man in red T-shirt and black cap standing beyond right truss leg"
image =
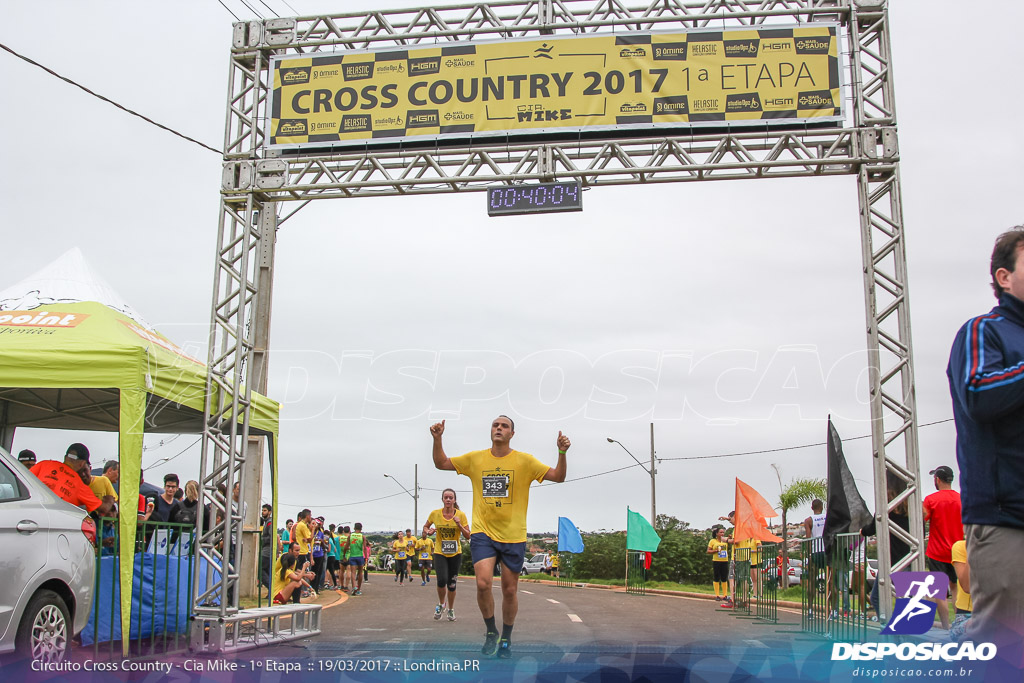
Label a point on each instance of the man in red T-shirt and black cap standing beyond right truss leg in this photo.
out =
(943, 511)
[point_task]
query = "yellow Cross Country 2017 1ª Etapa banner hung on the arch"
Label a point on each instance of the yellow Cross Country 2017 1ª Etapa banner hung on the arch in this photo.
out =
(633, 81)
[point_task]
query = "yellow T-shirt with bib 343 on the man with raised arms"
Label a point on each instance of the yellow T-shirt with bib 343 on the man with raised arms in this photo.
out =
(501, 492)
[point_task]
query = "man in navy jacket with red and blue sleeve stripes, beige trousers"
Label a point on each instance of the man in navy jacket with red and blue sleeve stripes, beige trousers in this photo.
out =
(987, 380)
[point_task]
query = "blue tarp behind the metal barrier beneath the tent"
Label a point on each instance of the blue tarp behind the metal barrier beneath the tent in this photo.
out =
(161, 597)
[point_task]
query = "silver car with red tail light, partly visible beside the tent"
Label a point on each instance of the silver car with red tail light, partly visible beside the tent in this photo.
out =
(48, 565)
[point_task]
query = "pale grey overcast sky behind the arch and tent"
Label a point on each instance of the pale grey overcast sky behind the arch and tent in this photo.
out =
(731, 315)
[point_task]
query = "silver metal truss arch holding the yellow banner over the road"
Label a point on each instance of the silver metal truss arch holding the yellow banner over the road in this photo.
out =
(257, 181)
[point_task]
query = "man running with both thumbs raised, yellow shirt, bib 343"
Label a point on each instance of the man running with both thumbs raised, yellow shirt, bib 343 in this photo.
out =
(501, 481)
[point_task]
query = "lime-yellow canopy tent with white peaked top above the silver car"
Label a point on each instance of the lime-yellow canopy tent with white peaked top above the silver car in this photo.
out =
(73, 357)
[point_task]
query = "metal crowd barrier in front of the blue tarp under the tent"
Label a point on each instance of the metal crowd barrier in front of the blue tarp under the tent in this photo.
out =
(161, 606)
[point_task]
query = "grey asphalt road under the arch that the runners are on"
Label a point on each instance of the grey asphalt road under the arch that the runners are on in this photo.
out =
(564, 629)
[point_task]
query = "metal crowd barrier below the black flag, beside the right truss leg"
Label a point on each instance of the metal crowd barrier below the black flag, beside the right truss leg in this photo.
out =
(830, 609)
